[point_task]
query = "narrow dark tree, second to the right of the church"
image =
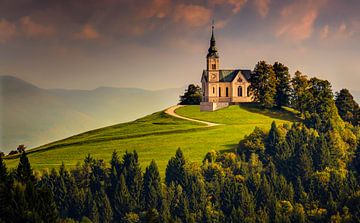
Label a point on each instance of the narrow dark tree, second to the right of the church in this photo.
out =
(283, 89)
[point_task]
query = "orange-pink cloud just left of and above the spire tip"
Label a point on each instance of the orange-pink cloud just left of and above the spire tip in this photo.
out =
(192, 15)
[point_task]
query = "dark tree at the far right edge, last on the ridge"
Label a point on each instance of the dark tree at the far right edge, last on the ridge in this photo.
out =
(347, 107)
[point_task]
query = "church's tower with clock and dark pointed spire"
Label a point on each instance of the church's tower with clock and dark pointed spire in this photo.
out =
(212, 59)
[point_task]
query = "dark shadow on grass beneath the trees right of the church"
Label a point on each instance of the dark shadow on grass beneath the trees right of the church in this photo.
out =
(286, 114)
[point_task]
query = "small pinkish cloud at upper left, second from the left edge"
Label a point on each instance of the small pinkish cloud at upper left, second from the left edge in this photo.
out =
(33, 29)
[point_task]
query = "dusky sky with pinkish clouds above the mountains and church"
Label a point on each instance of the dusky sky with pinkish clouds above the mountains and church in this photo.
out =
(157, 44)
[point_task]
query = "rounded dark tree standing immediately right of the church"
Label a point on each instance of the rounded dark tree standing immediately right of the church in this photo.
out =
(263, 84)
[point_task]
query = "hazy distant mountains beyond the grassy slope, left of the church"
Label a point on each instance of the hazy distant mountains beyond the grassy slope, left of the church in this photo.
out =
(33, 116)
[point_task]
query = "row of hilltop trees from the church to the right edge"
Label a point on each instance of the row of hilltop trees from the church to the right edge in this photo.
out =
(272, 86)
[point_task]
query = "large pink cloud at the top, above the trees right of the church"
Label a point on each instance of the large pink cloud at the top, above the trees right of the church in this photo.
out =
(297, 20)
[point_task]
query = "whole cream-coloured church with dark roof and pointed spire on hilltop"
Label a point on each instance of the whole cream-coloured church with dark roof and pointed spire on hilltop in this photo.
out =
(220, 88)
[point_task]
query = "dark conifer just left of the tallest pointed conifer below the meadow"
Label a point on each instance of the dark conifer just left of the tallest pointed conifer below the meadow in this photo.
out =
(151, 191)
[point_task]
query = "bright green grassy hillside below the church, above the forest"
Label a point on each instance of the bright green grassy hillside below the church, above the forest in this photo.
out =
(158, 135)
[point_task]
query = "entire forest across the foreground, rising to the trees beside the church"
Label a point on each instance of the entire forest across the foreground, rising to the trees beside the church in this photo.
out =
(306, 171)
